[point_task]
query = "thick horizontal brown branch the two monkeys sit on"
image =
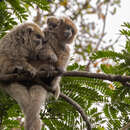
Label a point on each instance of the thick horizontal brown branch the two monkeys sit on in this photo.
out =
(15, 77)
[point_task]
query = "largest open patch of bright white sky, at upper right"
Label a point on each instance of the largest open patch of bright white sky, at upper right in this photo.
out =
(114, 22)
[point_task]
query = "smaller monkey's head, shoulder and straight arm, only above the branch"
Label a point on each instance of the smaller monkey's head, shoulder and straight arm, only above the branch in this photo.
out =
(59, 34)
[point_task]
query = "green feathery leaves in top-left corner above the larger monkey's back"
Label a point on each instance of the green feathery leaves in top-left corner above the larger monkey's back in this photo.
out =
(10, 10)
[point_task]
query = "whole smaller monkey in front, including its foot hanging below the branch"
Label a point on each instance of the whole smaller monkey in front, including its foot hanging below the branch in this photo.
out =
(59, 33)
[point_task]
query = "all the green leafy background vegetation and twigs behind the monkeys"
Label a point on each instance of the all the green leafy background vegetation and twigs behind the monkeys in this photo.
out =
(107, 104)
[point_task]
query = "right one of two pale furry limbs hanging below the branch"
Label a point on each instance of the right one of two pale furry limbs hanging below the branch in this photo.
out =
(37, 97)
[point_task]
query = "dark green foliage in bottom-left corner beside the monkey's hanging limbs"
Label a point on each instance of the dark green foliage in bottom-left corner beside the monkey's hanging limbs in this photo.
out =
(9, 112)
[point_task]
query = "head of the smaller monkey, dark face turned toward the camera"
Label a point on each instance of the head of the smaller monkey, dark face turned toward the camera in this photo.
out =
(63, 28)
